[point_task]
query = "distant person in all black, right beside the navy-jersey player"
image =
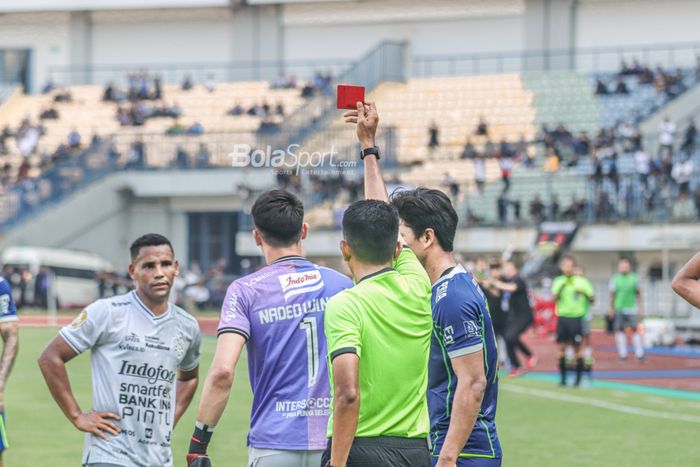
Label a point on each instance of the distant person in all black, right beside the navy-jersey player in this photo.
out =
(515, 302)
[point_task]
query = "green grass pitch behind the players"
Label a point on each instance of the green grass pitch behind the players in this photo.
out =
(535, 429)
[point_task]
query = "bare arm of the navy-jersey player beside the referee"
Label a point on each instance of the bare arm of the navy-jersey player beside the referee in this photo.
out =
(471, 384)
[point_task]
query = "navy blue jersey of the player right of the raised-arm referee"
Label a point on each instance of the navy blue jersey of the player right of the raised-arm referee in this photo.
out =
(461, 326)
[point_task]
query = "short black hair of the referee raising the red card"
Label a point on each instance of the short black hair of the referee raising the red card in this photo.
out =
(371, 228)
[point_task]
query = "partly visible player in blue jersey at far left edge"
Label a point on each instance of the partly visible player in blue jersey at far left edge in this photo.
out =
(10, 338)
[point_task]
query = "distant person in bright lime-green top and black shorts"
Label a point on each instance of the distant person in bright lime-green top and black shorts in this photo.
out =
(572, 295)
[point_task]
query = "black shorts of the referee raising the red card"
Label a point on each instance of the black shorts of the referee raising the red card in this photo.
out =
(385, 451)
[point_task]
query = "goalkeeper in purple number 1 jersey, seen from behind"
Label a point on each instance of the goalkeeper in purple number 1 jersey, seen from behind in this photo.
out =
(278, 314)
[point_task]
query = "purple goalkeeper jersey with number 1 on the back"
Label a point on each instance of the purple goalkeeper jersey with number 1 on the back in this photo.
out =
(279, 310)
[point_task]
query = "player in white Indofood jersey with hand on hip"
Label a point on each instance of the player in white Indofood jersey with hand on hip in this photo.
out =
(145, 360)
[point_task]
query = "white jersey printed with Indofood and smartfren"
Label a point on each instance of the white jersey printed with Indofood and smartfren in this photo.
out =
(135, 357)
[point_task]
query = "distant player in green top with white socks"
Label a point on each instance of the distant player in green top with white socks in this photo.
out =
(626, 309)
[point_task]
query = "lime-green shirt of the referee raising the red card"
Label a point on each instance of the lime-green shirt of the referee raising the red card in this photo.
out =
(386, 320)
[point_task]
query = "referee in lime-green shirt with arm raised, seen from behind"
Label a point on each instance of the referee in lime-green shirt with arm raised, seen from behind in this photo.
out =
(378, 332)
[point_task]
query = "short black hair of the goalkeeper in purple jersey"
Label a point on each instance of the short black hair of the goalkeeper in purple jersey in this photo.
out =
(278, 215)
